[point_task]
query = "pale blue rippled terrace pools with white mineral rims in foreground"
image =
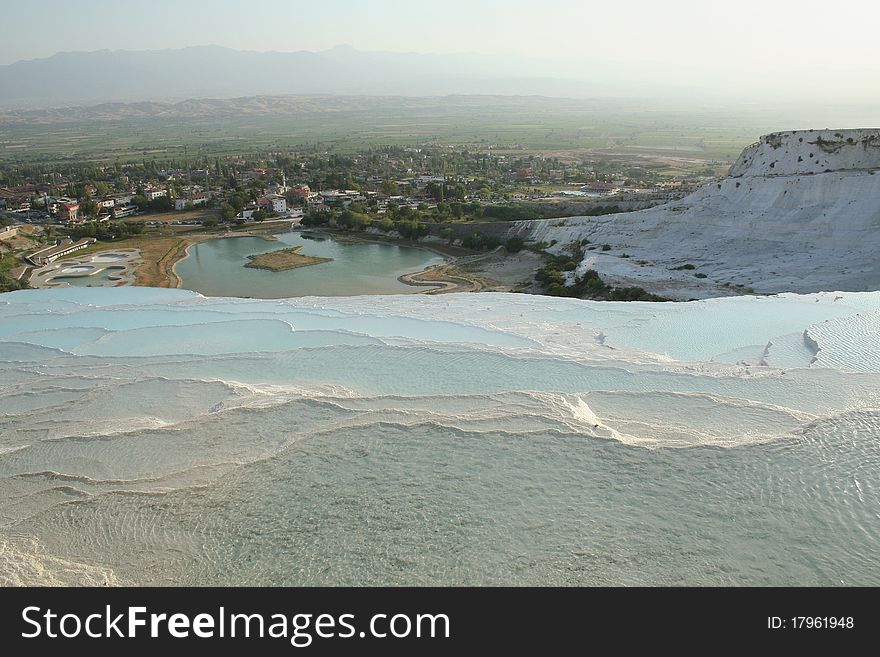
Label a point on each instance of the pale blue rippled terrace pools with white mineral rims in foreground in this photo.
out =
(159, 437)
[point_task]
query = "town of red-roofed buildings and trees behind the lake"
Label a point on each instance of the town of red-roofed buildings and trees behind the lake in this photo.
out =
(401, 192)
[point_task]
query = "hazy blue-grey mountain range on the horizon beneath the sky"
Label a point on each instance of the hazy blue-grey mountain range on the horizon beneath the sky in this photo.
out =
(77, 78)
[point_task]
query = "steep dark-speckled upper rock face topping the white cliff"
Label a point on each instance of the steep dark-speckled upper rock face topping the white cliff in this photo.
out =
(809, 152)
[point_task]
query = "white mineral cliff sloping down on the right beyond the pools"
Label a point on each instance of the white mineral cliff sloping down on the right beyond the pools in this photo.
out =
(799, 212)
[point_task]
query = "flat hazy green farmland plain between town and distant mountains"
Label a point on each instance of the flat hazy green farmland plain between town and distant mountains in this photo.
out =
(504, 123)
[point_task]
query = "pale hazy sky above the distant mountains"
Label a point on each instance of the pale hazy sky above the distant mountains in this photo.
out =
(795, 45)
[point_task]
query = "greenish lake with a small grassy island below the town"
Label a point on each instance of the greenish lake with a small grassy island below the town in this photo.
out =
(217, 268)
